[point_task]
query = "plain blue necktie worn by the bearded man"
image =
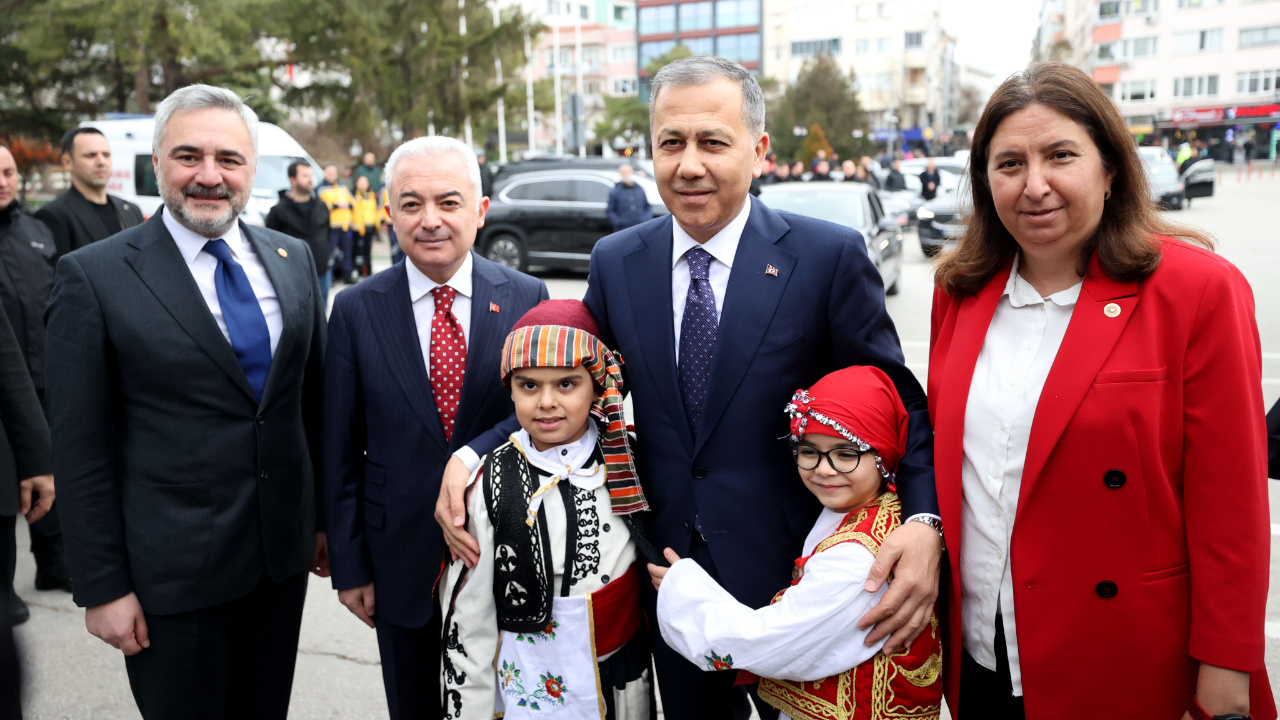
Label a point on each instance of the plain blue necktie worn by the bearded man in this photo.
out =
(244, 317)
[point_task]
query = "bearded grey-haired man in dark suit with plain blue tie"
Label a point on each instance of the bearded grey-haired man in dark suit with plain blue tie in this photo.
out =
(185, 376)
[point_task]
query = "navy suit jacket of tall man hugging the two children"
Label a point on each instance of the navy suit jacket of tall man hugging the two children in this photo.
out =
(824, 311)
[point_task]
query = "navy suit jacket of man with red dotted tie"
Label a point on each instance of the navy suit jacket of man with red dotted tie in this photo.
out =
(385, 449)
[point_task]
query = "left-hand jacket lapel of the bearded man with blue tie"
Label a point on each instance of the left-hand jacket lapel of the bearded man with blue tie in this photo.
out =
(162, 268)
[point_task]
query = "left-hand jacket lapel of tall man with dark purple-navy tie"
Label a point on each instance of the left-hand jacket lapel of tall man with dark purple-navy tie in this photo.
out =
(648, 276)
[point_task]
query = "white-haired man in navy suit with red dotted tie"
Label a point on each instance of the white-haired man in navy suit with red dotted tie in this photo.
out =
(412, 379)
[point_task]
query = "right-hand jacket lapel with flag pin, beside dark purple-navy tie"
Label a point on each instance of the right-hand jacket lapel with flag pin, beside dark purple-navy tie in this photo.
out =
(749, 306)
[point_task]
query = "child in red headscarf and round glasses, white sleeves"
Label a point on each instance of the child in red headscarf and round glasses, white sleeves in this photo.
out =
(848, 434)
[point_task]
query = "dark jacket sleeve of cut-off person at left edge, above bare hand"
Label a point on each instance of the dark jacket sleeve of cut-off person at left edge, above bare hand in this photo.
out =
(25, 441)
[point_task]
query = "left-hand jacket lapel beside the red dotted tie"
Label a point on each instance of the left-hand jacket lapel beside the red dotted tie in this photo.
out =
(392, 320)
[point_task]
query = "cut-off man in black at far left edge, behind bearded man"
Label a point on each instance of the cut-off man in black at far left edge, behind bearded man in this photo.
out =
(26, 282)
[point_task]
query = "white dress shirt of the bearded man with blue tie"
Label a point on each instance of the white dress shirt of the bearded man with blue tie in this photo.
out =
(203, 267)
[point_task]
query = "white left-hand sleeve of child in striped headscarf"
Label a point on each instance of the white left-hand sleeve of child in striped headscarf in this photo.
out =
(470, 627)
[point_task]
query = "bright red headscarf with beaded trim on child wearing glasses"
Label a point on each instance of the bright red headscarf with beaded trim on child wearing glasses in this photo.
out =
(858, 404)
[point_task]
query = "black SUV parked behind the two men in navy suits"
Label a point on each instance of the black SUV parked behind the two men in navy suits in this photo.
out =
(552, 218)
